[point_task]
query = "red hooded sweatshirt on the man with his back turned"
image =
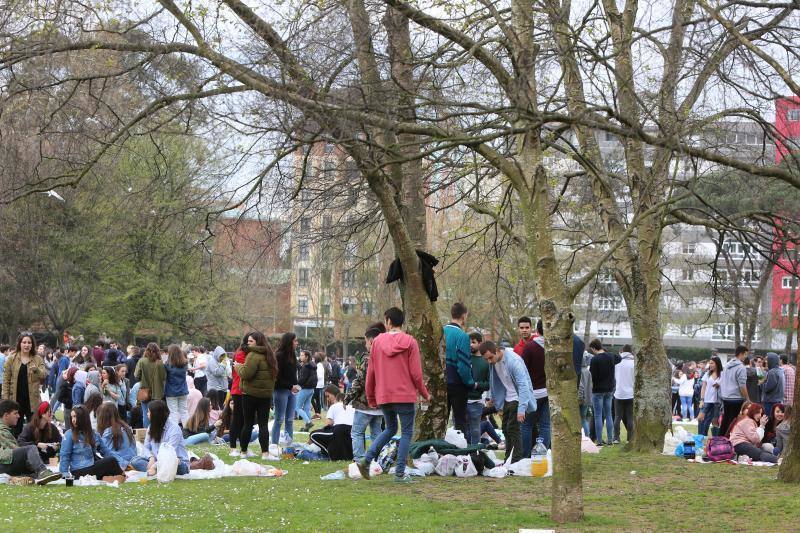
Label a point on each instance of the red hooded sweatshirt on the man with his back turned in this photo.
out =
(394, 373)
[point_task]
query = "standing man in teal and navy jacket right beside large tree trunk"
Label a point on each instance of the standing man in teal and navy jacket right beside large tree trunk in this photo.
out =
(458, 365)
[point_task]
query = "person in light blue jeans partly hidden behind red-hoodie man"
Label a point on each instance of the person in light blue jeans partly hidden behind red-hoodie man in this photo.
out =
(364, 416)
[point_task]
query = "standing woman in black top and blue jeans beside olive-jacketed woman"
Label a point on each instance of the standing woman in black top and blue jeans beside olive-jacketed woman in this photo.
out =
(286, 387)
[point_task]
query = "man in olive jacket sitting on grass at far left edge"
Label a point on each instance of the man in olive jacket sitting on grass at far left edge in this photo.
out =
(19, 460)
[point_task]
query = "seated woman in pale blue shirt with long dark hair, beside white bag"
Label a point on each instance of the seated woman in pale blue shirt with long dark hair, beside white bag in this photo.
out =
(162, 430)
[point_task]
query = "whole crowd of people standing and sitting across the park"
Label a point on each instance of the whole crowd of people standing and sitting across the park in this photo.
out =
(186, 397)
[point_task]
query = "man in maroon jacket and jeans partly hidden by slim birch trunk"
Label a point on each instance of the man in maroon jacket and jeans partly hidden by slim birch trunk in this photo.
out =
(539, 421)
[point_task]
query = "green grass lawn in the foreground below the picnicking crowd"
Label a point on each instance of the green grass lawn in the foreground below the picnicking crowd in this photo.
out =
(665, 493)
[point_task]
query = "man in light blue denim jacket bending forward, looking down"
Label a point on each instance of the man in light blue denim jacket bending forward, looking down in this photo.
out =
(511, 391)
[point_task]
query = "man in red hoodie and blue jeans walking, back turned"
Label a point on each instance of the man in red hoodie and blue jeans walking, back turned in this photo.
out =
(394, 377)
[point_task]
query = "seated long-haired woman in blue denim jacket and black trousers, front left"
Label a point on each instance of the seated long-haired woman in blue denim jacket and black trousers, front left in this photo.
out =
(79, 447)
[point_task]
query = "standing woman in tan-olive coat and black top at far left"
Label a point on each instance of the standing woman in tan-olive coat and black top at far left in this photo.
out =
(23, 377)
